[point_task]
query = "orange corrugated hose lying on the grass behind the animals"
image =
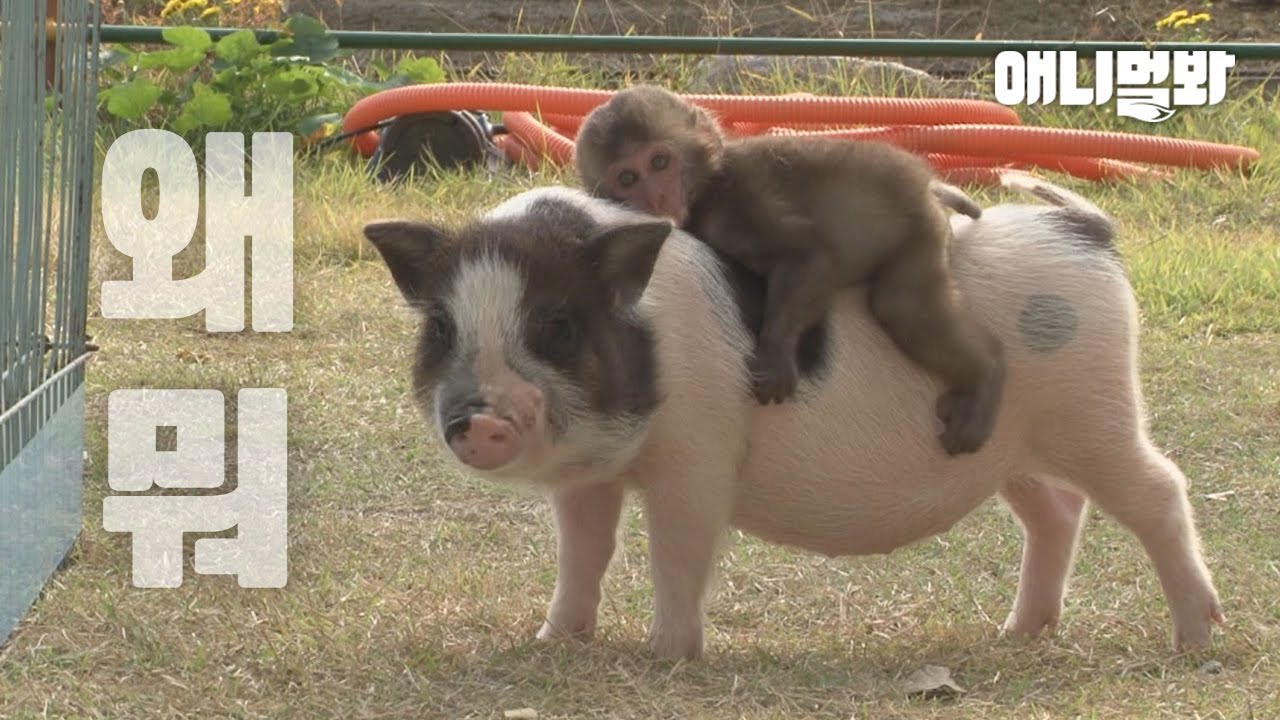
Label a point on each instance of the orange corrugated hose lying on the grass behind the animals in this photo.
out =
(962, 139)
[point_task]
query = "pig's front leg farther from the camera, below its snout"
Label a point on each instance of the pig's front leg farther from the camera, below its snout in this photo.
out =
(587, 523)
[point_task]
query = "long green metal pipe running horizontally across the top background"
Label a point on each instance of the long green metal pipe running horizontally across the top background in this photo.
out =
(679, 45)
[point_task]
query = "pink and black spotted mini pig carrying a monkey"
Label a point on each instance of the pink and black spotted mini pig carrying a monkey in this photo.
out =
(592, 350)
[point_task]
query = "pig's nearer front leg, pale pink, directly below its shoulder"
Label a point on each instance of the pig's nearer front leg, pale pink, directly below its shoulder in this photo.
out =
(688, 513)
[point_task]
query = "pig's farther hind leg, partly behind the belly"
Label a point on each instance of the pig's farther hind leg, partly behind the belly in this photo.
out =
(1052, 521)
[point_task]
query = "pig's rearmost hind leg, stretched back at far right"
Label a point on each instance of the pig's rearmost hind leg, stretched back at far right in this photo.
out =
(1145, 491)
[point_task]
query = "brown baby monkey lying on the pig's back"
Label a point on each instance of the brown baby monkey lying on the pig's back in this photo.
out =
(811, 216)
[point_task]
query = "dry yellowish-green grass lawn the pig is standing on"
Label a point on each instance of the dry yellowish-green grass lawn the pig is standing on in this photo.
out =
(415, 591)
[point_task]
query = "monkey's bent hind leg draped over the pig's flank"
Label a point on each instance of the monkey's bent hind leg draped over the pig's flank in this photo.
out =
(915, 302)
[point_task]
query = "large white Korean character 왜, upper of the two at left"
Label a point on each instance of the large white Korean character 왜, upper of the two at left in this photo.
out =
(231, 216)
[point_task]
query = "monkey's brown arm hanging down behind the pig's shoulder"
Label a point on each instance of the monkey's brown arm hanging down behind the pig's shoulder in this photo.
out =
(798, 295)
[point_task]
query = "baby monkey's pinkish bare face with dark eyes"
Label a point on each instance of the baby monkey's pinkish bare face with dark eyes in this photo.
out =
(651, 177)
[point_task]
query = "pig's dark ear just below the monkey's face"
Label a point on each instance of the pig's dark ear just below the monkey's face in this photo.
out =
(624, 257)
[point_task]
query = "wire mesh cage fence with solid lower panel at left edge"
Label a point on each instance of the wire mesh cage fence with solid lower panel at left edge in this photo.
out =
(48, 103)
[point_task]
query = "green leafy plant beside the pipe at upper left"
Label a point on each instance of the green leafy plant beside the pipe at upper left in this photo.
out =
(198, 85)
